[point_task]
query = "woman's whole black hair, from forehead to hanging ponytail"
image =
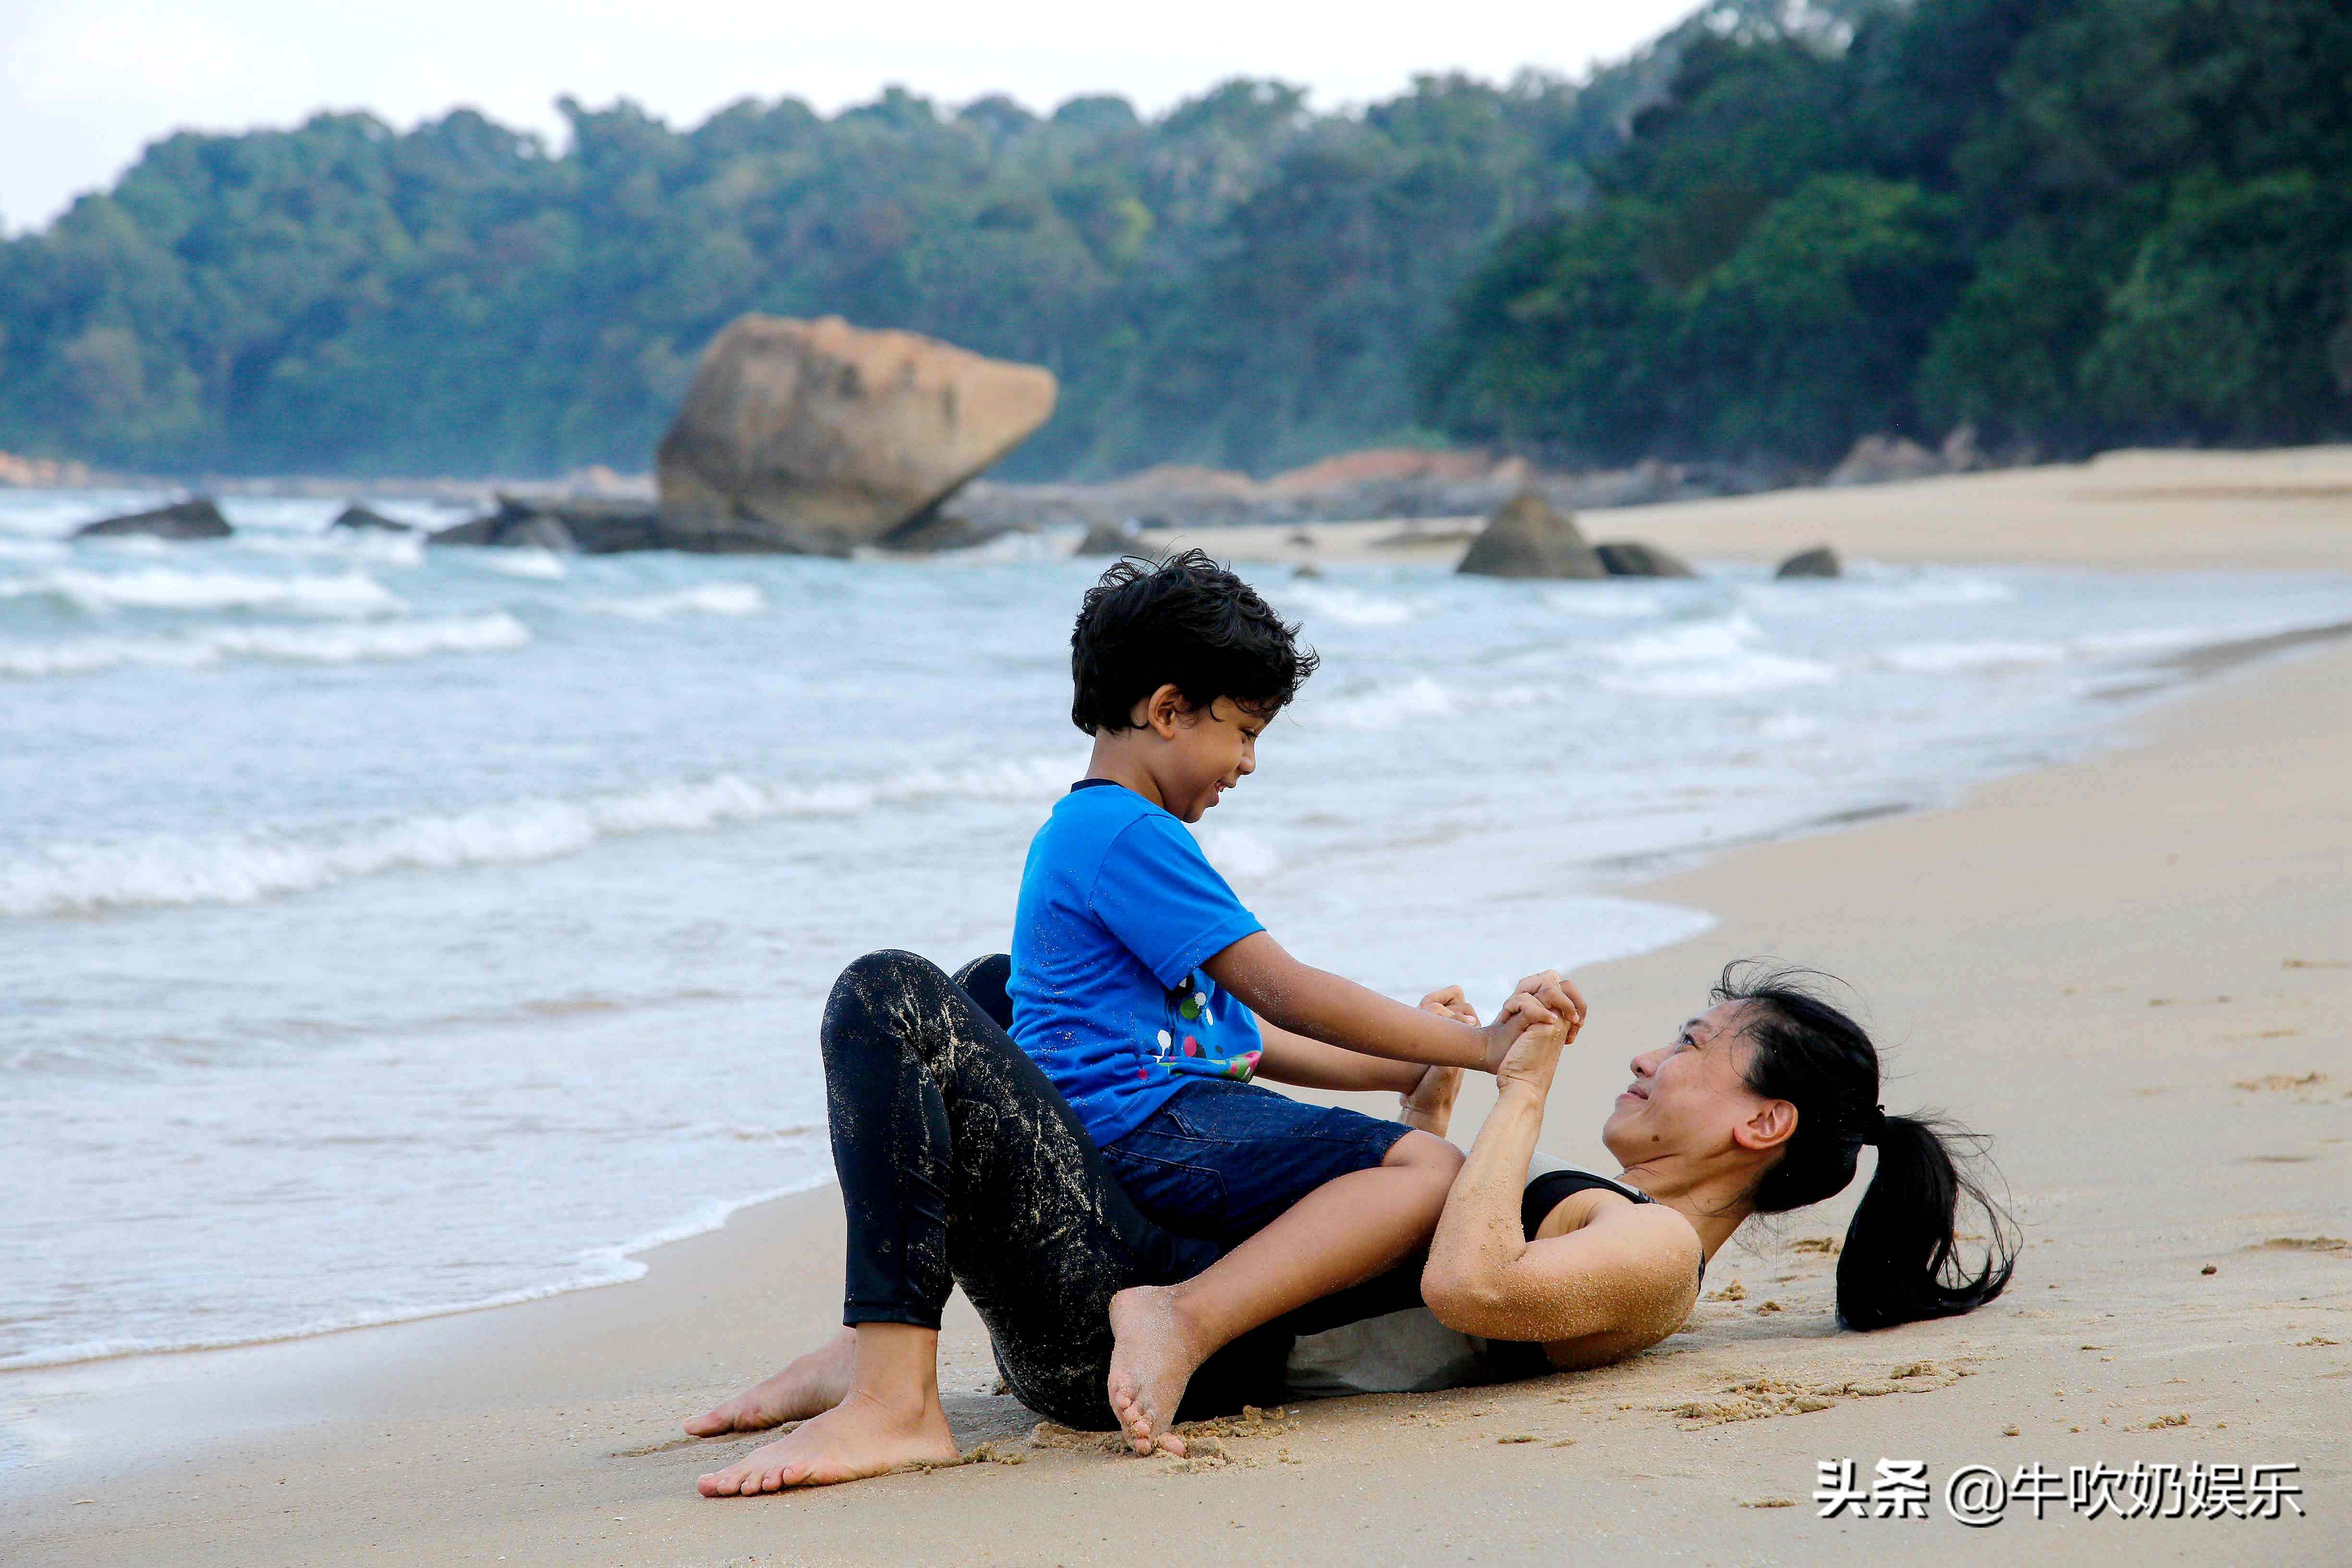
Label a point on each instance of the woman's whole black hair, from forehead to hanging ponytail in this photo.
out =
(1904, 1249)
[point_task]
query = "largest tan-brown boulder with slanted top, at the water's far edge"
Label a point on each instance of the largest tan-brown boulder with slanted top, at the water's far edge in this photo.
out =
(820, 436)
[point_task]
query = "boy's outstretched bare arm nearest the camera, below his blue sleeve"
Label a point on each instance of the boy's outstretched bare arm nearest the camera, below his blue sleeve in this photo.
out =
(1325, 1007)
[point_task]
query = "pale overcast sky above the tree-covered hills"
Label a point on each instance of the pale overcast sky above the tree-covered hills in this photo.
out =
(86, 83)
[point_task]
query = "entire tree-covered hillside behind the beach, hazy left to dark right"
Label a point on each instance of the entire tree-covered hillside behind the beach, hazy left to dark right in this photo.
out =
(2066, 222)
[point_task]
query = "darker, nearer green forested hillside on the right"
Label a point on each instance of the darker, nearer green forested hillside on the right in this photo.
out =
(2069, 222)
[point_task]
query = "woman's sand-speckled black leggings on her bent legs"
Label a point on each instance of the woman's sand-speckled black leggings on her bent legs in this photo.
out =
(963, 1167)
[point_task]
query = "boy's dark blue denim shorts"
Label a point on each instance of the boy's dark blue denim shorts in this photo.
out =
(1222, 1160)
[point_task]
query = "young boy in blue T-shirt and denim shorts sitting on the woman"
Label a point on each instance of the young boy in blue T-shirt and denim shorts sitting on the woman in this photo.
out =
(1154, 998)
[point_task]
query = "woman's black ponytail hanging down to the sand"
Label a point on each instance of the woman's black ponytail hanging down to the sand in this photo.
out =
(1902, 1257)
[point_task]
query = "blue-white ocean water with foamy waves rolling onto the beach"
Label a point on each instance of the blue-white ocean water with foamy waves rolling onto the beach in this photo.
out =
(389, 932)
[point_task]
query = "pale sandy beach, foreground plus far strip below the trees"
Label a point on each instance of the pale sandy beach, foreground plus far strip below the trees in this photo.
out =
(2134, 972)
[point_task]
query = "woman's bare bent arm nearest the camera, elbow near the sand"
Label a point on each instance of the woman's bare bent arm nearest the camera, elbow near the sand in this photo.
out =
(1629, 1275)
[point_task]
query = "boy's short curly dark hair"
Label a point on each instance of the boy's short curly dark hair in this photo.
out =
(1182, 622)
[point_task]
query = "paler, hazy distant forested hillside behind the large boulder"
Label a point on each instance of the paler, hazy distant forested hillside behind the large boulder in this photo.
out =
(1238, 281)
